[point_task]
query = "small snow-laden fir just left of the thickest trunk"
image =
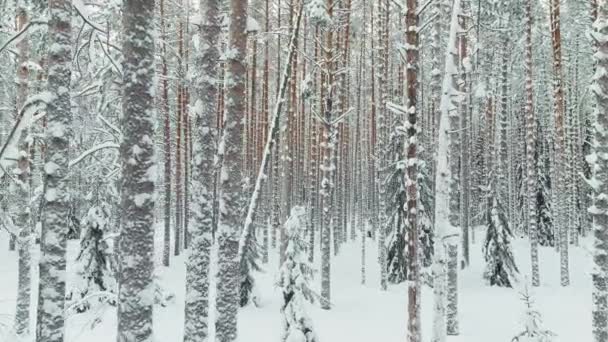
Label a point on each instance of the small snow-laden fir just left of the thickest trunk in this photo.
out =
(95, 267)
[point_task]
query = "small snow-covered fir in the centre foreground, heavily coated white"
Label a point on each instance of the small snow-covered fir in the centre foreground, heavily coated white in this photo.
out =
(294, 280)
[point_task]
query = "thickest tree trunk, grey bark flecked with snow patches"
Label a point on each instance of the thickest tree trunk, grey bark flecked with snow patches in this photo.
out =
(138, 164)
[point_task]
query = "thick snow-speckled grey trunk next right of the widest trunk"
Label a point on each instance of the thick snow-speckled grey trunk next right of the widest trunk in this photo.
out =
(204, 151)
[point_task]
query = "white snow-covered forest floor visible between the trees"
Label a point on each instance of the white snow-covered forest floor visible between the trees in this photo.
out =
(360, 313)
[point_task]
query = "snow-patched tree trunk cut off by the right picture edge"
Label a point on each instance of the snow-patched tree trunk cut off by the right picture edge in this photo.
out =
(599, 164)
